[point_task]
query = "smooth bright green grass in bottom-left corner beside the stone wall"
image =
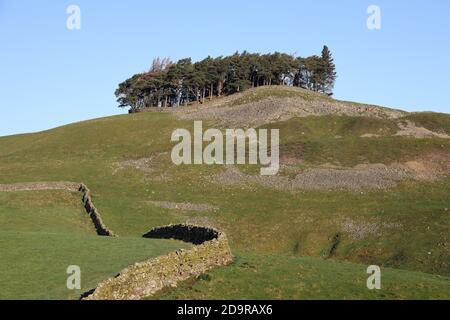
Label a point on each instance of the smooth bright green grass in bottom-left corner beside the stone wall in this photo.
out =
(33, 265)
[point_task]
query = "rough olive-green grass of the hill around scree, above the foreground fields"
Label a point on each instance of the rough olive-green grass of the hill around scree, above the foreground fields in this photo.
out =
(303, 223)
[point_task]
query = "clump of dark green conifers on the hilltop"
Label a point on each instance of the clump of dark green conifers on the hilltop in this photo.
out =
(169, 84)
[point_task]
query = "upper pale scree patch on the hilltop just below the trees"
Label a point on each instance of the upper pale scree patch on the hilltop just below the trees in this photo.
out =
(228, 113)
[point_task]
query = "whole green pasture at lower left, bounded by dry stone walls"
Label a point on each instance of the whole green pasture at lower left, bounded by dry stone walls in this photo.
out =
(43, 232)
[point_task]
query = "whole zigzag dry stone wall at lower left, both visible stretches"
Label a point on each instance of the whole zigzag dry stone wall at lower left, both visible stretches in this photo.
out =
(144, 279)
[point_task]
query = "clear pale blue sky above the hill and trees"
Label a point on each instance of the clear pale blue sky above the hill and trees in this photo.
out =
(50, 75)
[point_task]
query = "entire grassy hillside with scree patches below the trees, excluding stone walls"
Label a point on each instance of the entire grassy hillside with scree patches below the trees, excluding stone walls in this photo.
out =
(358, 185)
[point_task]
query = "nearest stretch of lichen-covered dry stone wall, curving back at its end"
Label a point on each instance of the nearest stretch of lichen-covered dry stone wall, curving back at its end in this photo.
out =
(144, 279)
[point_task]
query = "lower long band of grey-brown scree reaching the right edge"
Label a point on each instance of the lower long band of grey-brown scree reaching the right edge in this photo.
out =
(377, 176)
